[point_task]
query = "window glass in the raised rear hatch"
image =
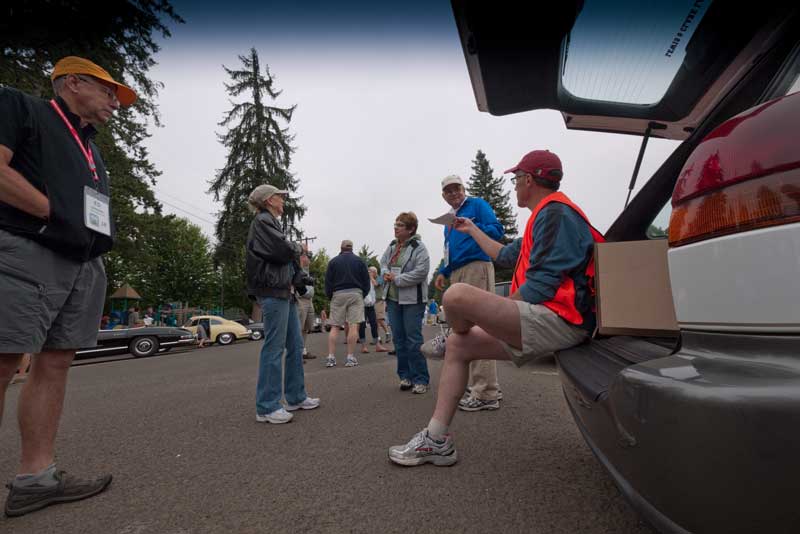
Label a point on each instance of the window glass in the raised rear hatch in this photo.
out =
(628, 51)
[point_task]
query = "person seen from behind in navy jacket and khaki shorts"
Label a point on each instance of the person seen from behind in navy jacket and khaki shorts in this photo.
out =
(346, 284)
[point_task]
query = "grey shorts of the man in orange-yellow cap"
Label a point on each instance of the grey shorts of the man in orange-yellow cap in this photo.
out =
(48, 301)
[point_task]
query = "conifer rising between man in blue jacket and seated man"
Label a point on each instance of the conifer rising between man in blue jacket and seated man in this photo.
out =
(483, 184)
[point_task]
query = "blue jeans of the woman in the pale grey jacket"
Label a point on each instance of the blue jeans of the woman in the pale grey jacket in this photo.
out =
(406, 321)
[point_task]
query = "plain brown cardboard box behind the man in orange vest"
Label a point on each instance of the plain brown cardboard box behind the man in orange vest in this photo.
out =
(634, 296)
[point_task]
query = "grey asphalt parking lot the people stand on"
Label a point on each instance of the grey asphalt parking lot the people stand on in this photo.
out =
(178, 432)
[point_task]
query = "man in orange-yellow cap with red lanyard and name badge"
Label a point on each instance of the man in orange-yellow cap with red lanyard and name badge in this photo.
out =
(55, 223)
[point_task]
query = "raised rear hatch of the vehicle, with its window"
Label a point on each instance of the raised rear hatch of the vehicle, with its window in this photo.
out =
(614, 66)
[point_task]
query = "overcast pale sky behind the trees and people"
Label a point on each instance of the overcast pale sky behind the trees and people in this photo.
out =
(385, 110)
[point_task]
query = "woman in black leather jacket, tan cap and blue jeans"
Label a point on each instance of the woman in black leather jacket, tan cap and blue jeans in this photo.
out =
(271, 267)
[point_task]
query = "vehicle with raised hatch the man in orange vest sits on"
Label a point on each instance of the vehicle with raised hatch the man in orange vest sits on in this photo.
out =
(699, 429)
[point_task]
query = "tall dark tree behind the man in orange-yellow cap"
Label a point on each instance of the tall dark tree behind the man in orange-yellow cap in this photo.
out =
(119, 36)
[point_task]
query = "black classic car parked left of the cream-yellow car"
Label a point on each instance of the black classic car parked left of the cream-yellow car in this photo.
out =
(141, 342)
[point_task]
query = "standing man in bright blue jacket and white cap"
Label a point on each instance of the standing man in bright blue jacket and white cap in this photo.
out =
(465, 262)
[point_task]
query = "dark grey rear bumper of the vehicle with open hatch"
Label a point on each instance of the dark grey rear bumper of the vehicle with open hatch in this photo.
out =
(688, 436)
